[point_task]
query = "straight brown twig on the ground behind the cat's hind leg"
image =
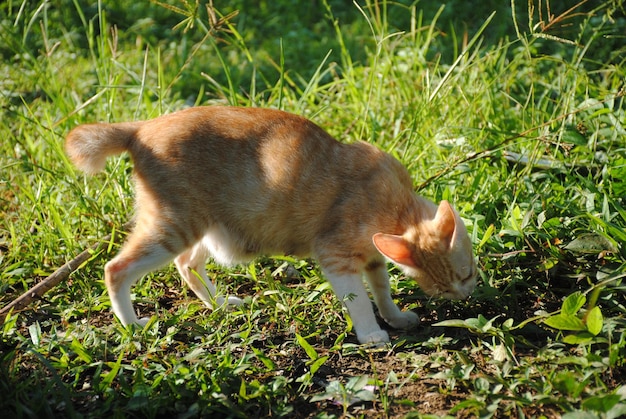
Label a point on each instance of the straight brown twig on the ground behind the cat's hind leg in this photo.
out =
(54, 279)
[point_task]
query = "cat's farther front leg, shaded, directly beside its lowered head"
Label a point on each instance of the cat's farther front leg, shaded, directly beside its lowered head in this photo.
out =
(378, 280)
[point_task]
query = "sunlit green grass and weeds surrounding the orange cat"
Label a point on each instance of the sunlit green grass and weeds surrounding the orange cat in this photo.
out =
(517, 119)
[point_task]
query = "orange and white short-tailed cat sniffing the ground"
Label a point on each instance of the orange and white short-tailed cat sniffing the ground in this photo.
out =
(234, 183)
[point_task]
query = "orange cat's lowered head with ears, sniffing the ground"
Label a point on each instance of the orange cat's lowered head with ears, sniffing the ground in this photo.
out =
(436, 252)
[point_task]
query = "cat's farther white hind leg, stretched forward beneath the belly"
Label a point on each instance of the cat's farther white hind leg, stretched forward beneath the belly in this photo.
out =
(191, 266)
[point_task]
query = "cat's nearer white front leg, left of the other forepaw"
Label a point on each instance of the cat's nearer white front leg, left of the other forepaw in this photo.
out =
(350, 290)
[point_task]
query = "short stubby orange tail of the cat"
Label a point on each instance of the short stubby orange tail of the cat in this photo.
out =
(89, 145)
